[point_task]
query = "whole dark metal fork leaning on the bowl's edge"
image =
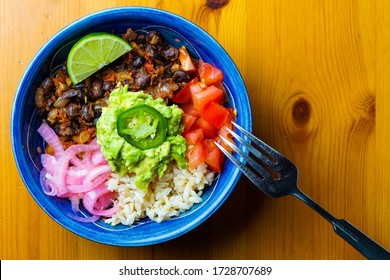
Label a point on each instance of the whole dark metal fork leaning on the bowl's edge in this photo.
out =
(277, 176)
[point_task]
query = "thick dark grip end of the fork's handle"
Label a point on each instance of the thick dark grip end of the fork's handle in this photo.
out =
(361, 242)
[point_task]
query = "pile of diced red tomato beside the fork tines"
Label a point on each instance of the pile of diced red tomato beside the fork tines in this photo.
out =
(205, 119)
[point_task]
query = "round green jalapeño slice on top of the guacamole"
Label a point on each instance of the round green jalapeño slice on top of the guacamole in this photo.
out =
(142, 126)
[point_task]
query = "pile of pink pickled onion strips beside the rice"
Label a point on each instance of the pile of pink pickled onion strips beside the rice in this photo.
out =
(79, 173)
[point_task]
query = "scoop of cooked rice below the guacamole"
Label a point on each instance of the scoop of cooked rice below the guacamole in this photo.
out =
(177, 191)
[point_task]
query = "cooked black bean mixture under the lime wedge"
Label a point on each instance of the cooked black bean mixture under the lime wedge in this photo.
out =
(73, 110)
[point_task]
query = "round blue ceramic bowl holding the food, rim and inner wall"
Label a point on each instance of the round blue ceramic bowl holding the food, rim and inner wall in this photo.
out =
(24, 121)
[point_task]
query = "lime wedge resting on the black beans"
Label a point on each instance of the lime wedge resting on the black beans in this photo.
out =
(93, 52)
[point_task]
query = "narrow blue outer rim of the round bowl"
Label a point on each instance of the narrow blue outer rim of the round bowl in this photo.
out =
(15, 141)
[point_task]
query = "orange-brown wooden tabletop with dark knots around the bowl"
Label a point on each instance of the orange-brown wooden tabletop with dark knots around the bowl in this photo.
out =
(317, 72)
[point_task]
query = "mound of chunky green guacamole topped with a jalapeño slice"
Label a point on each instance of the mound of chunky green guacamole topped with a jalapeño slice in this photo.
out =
(141, 135)
